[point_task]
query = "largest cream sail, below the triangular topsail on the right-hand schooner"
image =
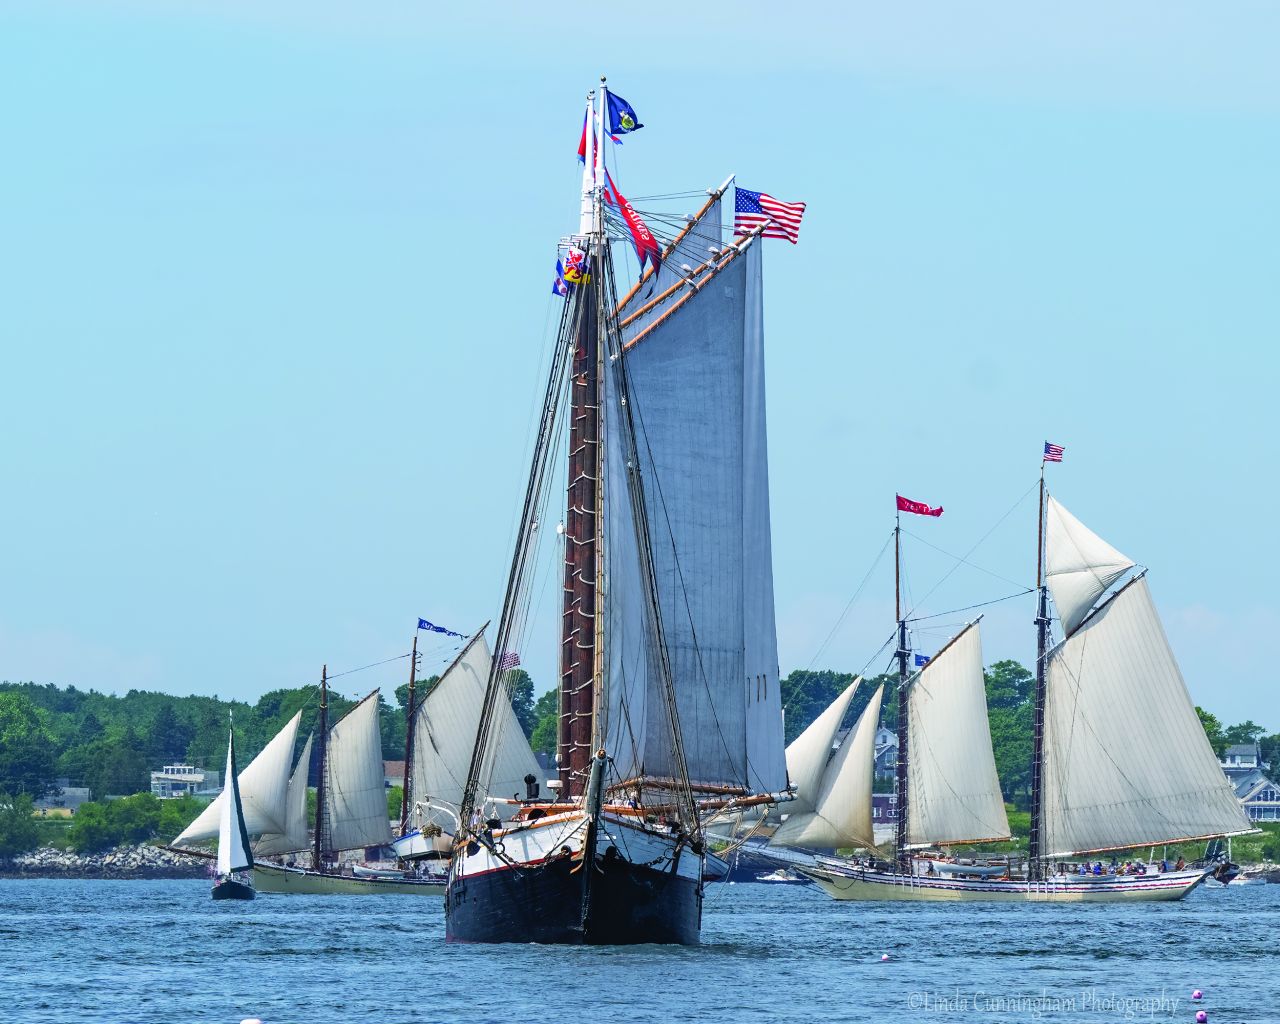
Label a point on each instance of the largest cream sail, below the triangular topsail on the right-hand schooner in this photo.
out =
(1127, 761)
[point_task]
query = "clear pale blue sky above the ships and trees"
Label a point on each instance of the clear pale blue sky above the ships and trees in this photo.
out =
(277, 310)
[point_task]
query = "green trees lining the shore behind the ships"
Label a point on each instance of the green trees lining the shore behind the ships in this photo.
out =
(111, 744)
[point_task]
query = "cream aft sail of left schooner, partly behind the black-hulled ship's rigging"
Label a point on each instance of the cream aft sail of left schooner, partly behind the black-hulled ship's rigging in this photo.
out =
(445, 734)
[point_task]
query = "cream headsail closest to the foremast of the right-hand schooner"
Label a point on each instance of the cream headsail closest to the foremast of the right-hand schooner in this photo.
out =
(844, 803)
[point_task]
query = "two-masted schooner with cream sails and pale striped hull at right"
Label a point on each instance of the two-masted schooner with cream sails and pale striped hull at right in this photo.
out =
(1121, 760)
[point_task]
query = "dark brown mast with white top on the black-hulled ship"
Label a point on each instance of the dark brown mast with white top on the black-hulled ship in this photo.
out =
(582, 519)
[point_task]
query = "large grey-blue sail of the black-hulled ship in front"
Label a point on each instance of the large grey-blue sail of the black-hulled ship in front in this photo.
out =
(696, 380)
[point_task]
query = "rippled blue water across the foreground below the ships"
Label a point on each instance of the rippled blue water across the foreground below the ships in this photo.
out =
(163, 952)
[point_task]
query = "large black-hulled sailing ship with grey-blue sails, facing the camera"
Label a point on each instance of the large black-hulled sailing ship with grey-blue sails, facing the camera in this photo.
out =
(669, 692)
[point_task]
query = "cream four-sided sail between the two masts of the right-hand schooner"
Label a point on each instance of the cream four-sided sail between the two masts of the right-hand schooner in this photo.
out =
(953, 788)
